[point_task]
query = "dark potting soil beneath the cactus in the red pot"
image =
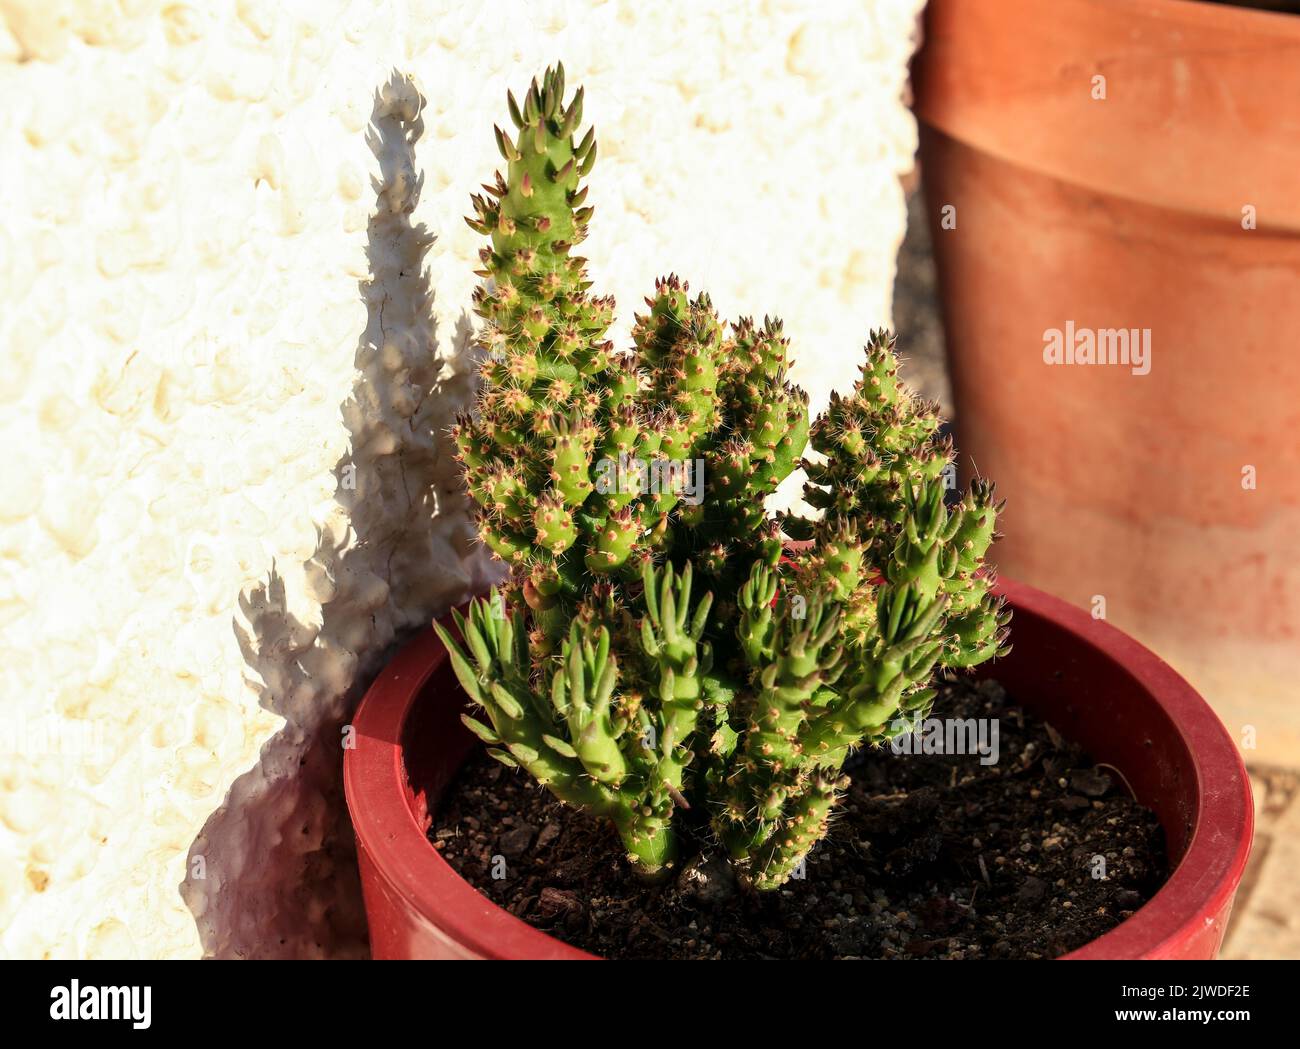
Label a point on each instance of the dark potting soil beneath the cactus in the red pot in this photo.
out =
(931, 856)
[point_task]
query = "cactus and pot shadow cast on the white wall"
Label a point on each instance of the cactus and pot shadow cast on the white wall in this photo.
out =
(272, 874)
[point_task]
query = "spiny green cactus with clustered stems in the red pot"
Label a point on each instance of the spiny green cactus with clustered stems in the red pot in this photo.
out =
(661, 656)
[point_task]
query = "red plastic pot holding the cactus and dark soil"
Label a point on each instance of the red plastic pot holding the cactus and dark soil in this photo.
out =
(1093, 683)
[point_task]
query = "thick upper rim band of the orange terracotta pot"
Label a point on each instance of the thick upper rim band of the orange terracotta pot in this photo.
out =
(1195, 119)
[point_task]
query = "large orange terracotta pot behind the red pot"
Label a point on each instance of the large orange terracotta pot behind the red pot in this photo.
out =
(1126, 213)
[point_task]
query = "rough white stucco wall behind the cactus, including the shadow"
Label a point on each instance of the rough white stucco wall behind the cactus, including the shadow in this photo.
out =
(226, 378)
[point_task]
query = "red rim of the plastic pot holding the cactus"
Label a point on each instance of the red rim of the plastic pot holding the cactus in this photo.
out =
(1202, 885)
